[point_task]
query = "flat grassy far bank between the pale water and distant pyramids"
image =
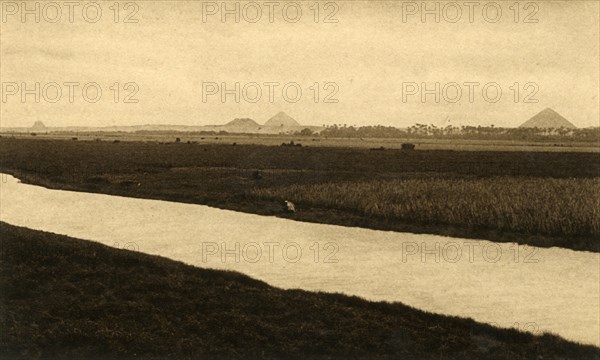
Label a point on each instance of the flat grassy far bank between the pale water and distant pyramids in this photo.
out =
(536, 198)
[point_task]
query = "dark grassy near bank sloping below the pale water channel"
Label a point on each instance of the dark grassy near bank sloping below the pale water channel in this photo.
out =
(67, 298)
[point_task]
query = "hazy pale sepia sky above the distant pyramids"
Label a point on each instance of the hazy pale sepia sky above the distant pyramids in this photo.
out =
(369, 61)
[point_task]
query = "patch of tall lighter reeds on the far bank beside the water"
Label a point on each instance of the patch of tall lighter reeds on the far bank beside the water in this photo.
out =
(559, 207)
